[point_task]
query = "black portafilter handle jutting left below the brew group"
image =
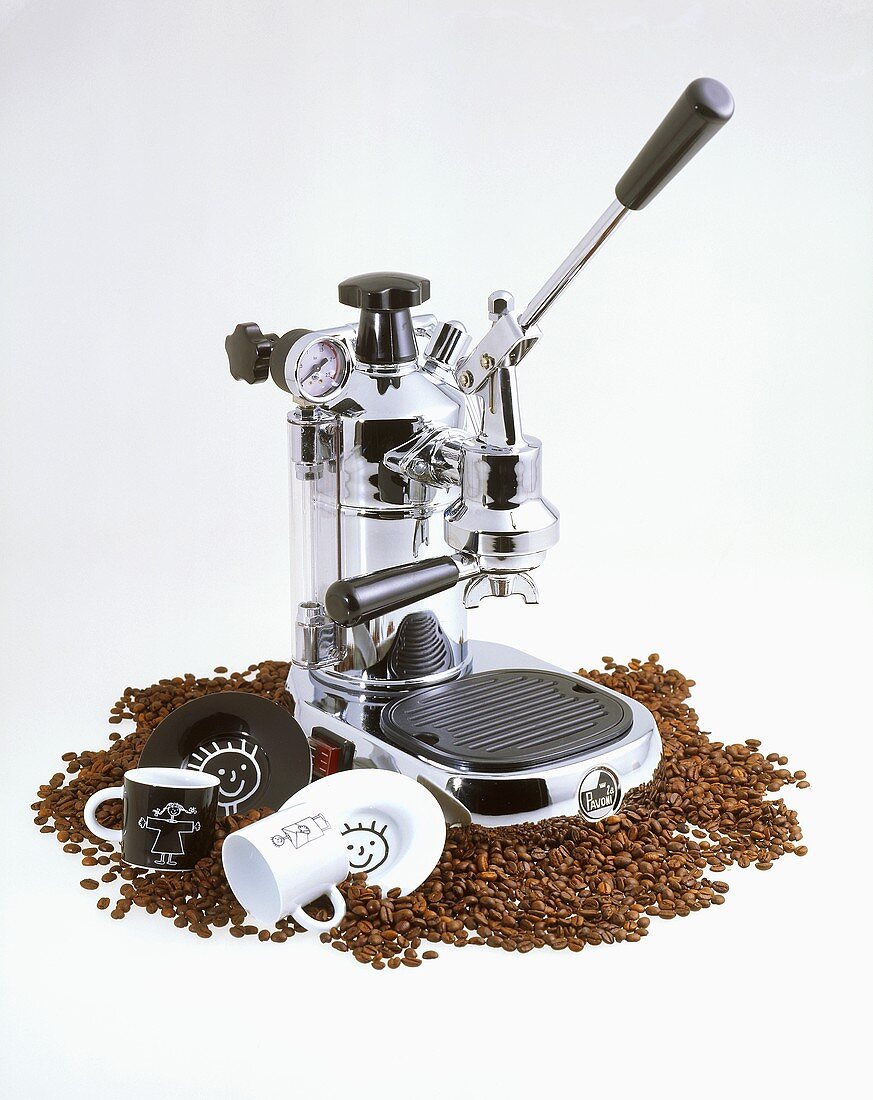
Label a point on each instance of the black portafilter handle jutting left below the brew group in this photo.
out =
(360, 599)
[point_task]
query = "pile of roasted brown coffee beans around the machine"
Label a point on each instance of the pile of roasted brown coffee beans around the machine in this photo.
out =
(563, 883)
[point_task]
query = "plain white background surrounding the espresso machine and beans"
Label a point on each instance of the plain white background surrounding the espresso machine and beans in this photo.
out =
(704, 398)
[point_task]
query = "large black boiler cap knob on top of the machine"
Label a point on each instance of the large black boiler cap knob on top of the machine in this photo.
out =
(385, 334)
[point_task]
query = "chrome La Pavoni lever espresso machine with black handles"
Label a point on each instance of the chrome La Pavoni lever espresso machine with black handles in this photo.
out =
(416, 494)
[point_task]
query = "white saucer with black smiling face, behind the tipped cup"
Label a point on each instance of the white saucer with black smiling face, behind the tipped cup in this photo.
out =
(393, 828)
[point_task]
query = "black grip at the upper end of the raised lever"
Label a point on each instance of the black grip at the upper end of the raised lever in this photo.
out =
(700, 113)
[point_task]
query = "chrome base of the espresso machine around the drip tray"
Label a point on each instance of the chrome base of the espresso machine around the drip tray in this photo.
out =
(509, 743)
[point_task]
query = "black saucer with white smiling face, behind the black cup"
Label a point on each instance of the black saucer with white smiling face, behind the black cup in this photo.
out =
(257, 749)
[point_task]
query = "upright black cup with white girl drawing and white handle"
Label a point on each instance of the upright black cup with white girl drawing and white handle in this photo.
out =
(170, 818)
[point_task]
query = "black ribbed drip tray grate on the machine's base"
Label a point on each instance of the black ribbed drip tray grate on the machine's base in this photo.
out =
(511, 720)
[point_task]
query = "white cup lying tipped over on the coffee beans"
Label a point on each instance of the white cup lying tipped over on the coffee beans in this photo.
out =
(285, 862)
